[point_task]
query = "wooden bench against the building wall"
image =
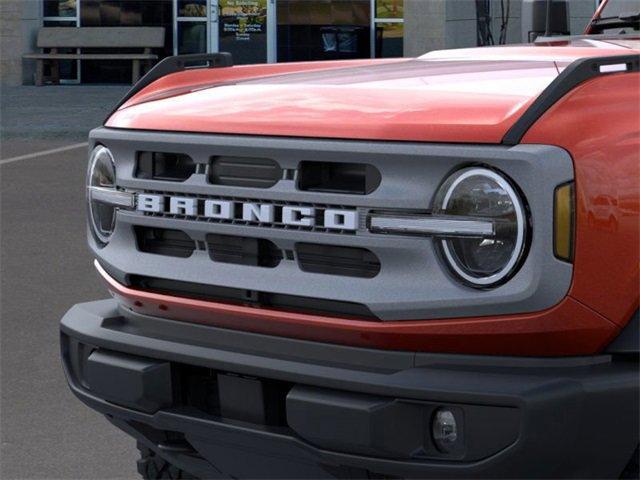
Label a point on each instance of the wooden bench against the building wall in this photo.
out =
(55, 38)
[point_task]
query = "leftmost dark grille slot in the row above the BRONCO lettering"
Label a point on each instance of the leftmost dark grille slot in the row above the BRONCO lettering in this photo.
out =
(172, 167)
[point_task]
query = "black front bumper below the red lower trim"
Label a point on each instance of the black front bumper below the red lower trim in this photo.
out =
(222, 403)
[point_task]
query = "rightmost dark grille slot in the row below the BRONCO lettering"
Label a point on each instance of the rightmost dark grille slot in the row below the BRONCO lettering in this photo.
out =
(334, 260)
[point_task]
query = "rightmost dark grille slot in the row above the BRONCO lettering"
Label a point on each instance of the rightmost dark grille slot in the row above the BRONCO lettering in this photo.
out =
(333, 177)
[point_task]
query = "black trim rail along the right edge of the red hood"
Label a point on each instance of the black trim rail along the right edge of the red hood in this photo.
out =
(576, 73)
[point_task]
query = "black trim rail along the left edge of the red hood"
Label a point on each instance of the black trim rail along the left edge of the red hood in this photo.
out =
(174, 64)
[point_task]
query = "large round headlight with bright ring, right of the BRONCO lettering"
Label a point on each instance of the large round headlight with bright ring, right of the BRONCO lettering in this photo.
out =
(483, 261)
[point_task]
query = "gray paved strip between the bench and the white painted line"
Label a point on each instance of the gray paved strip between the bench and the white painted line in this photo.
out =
(40, 118)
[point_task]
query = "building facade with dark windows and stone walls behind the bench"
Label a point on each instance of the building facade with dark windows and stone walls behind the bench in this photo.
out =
(259, 31)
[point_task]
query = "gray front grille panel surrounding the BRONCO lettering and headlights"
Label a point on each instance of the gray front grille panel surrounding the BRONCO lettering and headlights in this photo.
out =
(411, 283)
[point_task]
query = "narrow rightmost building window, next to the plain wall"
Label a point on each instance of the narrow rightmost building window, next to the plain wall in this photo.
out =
(388, 28)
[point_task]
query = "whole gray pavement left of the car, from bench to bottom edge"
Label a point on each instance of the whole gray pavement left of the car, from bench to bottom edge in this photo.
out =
(45, 268)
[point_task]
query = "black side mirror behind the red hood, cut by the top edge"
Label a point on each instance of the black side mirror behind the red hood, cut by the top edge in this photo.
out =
(544, 18)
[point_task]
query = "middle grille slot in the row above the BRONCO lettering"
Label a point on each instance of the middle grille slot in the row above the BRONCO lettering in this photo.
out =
(244, 172)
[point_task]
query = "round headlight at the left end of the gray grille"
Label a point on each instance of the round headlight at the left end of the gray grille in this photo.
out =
(102, 175)
